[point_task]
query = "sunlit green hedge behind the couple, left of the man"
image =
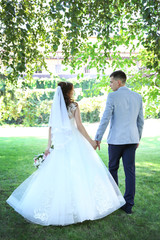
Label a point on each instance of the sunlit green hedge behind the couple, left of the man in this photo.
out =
(29, 104)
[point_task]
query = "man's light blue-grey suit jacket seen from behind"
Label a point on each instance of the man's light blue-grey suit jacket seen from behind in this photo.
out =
(124, 110)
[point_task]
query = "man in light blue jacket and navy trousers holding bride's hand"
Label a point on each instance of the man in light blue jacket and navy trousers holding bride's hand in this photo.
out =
(125, 112)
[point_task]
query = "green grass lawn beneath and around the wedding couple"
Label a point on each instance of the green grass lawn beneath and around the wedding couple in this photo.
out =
(16, 164)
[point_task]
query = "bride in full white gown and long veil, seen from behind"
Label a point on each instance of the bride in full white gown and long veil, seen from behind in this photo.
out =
(72, 184)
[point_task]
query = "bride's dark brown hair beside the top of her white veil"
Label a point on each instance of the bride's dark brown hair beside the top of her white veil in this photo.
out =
(66, 89)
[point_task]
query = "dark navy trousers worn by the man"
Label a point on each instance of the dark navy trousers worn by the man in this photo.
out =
(127, 152)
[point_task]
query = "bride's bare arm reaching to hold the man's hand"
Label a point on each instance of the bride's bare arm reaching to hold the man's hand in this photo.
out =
(82, 129)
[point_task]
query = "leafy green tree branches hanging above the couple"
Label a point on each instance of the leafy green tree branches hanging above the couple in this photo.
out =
(30, 30)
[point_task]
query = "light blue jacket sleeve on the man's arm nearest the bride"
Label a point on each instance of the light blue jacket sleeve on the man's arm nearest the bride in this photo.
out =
(105, 118)
